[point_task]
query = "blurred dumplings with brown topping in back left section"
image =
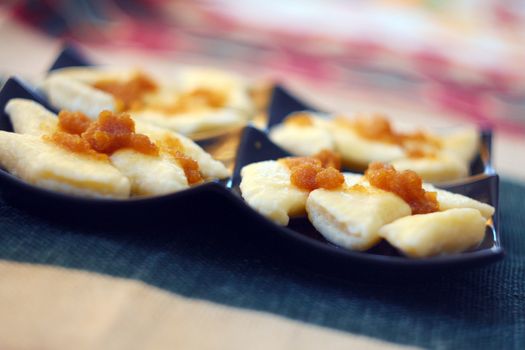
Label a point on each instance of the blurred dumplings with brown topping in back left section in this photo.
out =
(192, 101)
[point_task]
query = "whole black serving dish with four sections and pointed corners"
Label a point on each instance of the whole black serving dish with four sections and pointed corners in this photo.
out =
(299, 241)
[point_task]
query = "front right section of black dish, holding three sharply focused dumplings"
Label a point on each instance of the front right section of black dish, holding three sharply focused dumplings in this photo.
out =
(255, 147)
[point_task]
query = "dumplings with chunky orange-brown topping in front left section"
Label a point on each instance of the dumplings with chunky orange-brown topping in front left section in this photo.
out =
(134, 159)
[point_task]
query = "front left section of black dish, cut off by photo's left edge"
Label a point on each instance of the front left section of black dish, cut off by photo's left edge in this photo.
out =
(21, 192)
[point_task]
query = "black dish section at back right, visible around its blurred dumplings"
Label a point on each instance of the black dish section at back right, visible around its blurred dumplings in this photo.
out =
(283, 103)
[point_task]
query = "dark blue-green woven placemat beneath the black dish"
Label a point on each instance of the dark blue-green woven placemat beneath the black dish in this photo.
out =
(481, 308)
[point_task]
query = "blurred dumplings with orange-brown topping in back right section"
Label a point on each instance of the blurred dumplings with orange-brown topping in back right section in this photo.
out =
(365, 139)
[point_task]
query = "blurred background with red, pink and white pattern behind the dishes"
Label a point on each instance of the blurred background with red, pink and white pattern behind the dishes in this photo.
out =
(432, 62)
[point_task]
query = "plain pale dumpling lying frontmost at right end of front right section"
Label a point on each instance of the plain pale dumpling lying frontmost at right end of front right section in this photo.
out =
(446, 232)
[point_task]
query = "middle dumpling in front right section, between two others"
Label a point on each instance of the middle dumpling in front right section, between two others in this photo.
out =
(352, 218)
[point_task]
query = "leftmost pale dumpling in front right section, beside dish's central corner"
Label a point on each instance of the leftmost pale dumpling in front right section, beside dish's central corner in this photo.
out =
(267, 188)
